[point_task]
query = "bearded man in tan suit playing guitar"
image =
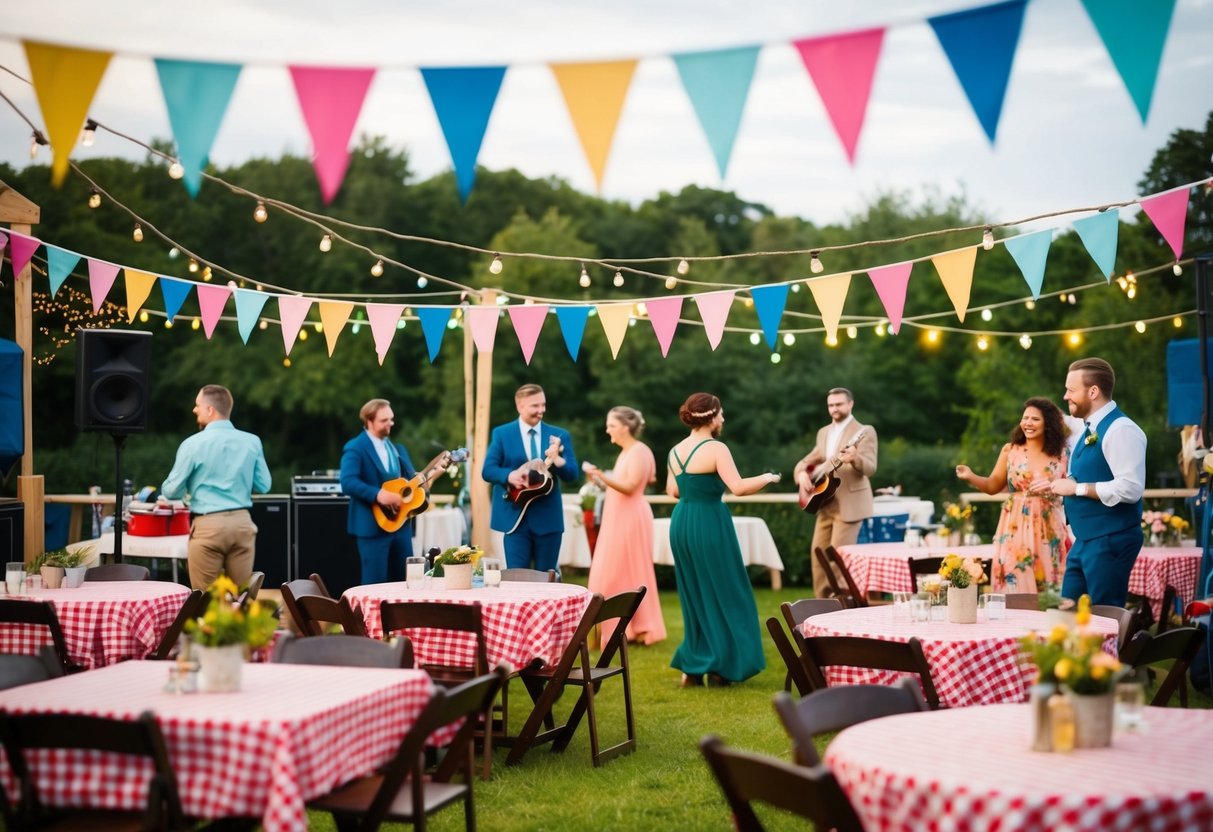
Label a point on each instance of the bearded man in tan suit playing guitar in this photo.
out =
(839, 520)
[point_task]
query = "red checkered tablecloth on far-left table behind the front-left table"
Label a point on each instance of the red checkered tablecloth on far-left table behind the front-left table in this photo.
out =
(104, 622)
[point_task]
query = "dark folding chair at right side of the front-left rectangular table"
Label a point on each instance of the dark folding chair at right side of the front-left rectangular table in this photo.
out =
(401, 793)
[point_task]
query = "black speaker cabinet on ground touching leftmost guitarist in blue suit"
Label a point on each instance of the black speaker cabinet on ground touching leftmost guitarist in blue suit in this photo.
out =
(322, 544)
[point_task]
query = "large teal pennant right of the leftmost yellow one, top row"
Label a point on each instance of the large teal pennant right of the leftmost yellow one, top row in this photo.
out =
(197, 96)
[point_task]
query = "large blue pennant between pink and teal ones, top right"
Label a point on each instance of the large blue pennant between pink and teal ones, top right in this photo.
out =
(981, 44)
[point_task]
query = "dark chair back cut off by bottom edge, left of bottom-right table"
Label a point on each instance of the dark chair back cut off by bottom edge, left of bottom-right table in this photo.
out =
(807, 793)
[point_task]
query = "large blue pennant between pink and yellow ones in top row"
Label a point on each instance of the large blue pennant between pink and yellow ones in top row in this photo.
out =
(464, 99)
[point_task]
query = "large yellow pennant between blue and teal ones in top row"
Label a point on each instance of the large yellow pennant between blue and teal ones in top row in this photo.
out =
(595, 95)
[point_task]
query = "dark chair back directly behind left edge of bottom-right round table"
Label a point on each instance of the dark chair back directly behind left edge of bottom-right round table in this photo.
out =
(832, 710)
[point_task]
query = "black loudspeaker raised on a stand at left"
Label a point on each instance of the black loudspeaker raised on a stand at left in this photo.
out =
(113, 380)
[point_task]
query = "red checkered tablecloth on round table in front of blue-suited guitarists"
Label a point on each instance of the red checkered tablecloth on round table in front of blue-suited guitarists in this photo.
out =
(523, 623)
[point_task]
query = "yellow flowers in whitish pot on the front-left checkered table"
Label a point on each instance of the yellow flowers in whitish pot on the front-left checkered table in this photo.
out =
(226, 631)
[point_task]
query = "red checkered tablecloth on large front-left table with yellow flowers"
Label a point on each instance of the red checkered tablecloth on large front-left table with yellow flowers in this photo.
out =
(291, 734)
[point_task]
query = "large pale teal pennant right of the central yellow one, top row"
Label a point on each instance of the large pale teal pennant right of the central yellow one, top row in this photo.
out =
(717, 84)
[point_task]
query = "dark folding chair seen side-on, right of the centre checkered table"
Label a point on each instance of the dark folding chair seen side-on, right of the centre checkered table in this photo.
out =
(546, 683)
